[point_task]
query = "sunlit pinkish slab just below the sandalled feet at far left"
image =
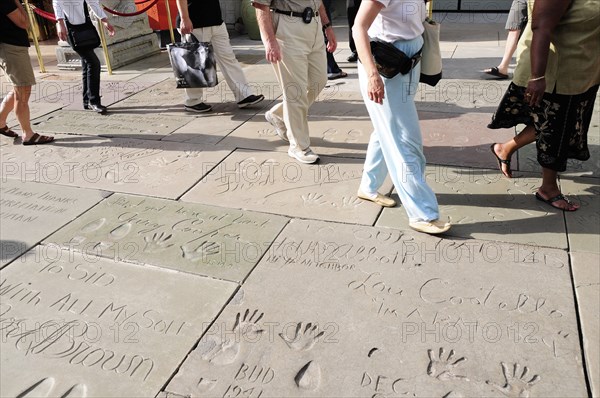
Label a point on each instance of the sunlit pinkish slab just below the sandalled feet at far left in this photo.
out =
(160, 169)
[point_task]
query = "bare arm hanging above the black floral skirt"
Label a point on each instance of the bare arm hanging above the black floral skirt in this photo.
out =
(545, 18)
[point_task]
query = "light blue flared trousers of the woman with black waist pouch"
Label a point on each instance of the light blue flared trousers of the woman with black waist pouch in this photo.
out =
(396, 145)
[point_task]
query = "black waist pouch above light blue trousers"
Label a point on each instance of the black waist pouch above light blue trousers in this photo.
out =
(390, 61)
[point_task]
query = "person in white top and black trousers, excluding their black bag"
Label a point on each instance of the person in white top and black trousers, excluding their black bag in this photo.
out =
(75, 13)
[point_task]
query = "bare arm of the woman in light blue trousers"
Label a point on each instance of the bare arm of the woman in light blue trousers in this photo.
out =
(367, 13)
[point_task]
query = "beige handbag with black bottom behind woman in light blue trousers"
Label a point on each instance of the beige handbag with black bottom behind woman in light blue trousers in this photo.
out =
(431, 57)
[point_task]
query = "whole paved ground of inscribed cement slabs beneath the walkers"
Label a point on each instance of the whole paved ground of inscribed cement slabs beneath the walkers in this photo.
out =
(155, 252)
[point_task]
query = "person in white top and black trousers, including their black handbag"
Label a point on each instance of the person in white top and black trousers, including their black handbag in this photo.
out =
(75, 26)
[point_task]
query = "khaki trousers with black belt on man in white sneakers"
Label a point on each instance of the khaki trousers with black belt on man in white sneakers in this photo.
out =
(302, 74)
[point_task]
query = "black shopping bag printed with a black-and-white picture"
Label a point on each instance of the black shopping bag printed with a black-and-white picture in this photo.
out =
(193, 63)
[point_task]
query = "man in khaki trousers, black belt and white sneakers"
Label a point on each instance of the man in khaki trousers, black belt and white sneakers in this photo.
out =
(291, 31)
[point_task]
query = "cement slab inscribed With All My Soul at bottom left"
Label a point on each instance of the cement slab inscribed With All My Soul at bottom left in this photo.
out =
(75, 325)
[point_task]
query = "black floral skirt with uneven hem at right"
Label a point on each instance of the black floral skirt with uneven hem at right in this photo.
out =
(561, 123)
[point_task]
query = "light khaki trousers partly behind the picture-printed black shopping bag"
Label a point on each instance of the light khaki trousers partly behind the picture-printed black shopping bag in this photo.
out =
(227, 62)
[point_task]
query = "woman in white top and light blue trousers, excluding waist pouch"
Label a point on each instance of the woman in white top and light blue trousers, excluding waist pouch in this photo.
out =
(396, 144)
